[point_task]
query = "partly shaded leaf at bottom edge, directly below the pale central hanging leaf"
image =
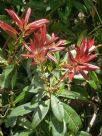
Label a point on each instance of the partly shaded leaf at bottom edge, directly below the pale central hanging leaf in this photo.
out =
(58, 128)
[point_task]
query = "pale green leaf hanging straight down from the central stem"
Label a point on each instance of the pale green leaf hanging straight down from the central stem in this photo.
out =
(57, 108)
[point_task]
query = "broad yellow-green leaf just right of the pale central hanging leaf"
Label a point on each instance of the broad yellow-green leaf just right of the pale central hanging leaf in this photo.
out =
(72, 118)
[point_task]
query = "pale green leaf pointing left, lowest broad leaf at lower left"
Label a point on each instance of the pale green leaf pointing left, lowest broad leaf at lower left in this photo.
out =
(23, 109)
